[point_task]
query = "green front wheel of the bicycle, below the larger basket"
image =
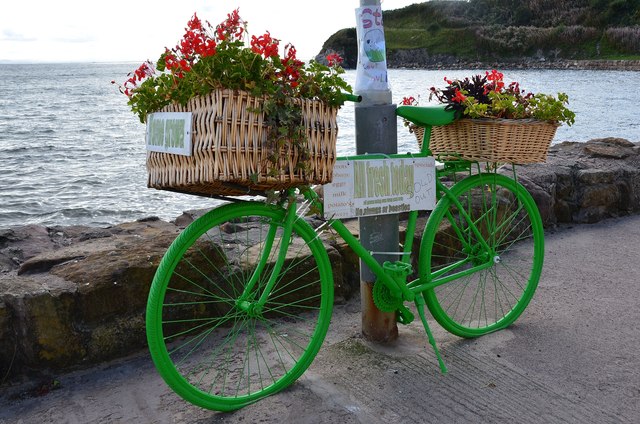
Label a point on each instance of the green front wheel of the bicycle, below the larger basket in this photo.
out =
(209, 342)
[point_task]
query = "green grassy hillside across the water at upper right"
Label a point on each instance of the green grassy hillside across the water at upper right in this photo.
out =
(484, 30)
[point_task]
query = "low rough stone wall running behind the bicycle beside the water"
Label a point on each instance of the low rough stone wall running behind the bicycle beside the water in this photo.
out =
(75, 296)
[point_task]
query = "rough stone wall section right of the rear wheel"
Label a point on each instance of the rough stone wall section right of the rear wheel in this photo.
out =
(586, 182)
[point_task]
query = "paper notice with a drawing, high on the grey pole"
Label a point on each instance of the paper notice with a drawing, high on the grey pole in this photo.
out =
(371, 73)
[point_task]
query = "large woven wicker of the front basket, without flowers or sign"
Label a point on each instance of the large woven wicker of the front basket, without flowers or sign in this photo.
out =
(228, 155)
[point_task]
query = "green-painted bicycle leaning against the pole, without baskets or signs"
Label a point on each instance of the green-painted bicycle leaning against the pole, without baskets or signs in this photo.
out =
(242, 300)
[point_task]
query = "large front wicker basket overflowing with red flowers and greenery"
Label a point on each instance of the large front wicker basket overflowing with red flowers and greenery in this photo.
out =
(261, 121)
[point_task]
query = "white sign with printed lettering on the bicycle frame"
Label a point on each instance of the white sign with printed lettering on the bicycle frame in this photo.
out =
(380, 186)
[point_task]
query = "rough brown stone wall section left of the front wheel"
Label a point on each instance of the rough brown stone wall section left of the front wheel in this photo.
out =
(81, 300)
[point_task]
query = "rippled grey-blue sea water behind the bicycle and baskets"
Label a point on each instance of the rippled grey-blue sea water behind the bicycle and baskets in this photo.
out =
(71, 151)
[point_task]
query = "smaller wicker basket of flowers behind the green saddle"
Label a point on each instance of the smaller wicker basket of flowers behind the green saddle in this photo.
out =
(494, 122)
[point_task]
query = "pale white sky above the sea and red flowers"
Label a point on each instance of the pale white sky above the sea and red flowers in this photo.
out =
(134, 31)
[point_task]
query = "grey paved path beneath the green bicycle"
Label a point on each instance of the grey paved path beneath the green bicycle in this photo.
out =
(573, 357)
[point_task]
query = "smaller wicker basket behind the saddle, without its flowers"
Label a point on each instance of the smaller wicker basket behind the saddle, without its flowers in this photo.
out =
(491, 140)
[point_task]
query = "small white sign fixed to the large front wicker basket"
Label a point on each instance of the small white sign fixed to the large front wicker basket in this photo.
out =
(169, 132)
